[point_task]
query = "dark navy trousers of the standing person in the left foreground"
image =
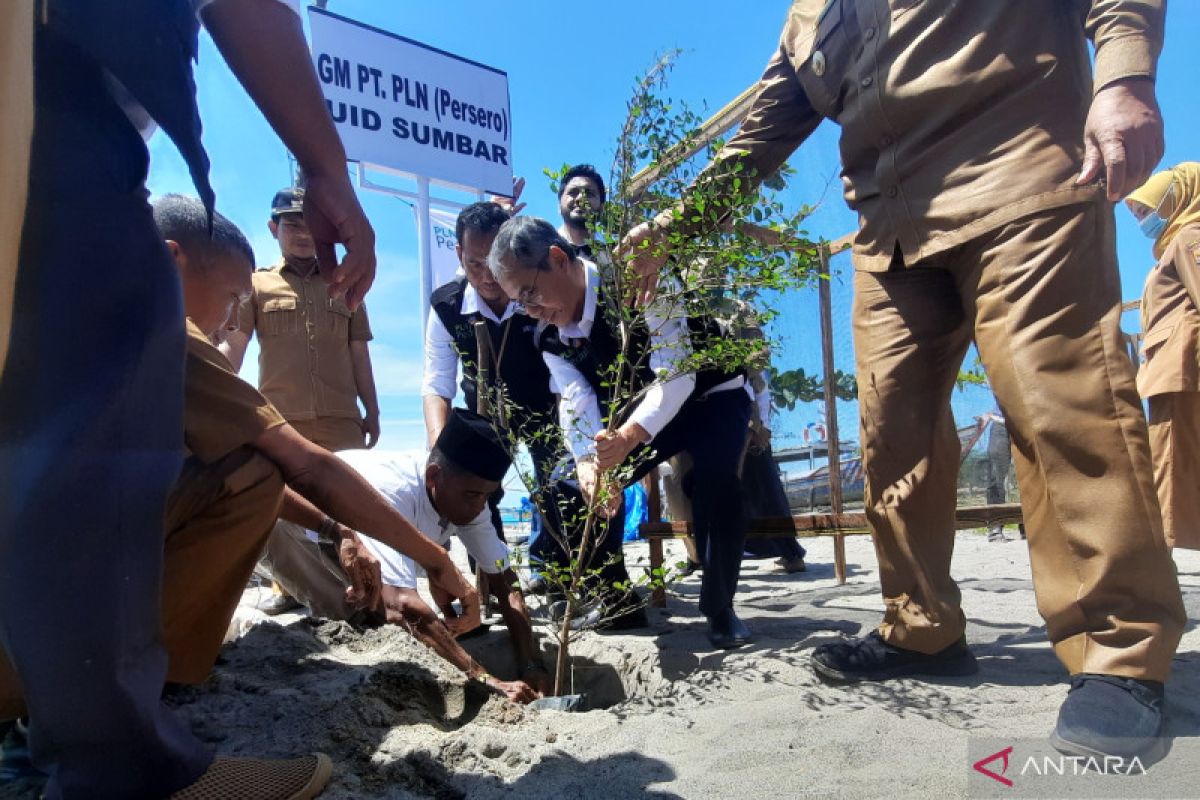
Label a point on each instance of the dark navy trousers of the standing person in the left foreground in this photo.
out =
(91, 444)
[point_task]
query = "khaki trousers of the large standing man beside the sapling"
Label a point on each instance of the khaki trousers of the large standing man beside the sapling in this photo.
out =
(1041, 298)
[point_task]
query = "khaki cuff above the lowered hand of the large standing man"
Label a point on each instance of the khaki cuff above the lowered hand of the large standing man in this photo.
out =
(1129, 38)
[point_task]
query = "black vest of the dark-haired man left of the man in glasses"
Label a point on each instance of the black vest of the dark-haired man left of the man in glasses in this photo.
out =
(524, 374)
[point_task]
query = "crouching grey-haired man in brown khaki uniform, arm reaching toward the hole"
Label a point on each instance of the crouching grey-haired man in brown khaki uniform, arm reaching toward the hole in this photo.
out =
(242, 455)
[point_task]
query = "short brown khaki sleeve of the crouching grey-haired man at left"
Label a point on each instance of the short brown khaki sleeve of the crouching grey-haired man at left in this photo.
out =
(221, 412)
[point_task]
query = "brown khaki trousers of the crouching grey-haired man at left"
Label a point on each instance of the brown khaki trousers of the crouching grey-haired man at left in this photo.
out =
(218, 521)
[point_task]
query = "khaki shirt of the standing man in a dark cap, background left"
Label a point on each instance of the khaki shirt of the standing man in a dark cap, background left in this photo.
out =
(304, 363)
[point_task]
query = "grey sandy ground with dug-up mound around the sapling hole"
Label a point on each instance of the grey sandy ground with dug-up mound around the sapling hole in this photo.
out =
(685, 721)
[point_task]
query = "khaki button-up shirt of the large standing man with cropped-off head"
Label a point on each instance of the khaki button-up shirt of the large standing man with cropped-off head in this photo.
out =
(958, 116)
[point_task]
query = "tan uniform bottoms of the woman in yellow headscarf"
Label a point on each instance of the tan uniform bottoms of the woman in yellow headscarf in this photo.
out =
(1175, 444)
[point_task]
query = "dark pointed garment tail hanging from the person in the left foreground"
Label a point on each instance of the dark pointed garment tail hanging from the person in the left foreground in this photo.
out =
(149, 47)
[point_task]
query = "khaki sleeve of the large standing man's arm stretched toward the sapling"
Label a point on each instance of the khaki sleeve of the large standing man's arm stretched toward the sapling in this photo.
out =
(779, 121)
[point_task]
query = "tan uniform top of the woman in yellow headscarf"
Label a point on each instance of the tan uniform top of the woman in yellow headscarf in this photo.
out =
(1171, 320)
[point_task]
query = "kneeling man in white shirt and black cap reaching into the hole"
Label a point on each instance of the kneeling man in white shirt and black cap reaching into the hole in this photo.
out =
(445, 496)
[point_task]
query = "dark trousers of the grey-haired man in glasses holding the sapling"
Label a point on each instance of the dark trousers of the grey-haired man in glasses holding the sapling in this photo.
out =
(713, 432)
